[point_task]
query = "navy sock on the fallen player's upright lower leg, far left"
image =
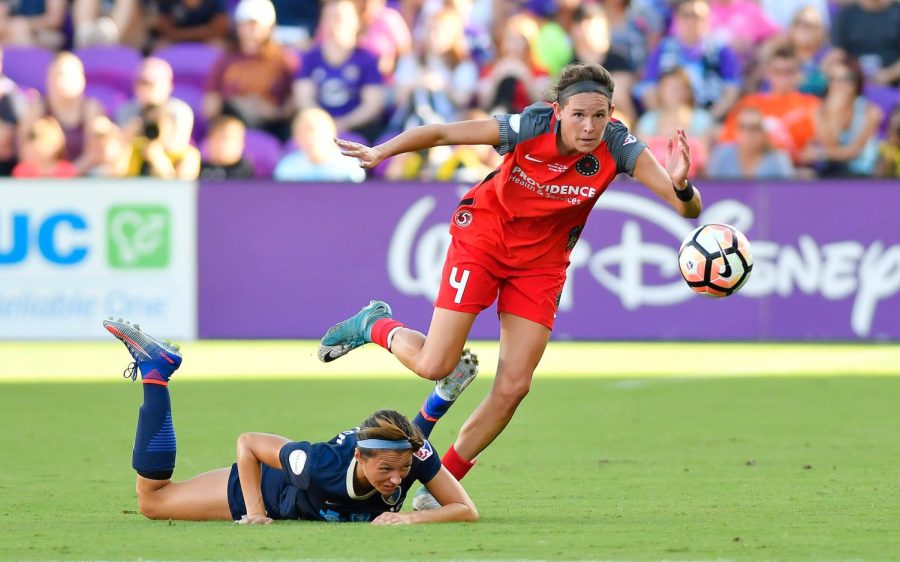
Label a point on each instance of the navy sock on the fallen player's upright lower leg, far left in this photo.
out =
(154, 444)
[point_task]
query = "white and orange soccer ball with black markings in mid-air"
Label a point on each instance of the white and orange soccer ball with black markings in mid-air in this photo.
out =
(715, 260)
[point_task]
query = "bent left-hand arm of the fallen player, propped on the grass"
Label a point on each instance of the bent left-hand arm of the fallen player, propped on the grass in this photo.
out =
(252, 449)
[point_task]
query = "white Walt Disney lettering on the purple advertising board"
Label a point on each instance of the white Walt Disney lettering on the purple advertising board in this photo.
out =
(834, 271)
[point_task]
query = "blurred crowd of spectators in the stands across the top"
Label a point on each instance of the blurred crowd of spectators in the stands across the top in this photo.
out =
(222, 89)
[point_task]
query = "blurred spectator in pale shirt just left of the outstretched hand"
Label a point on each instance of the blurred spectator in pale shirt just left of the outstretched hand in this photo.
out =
(316, 158)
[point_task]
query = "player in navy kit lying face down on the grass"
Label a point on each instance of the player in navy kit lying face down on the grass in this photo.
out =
(363, 474)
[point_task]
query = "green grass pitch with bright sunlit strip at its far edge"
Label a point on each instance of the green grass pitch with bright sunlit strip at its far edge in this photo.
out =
(621, 452)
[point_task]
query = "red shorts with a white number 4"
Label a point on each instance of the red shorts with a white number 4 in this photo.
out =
(472, 280)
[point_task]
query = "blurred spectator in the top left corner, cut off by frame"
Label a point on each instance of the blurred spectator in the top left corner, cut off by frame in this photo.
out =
(33, 22)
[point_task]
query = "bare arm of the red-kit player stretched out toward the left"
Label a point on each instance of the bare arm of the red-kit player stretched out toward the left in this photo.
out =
(481, 131)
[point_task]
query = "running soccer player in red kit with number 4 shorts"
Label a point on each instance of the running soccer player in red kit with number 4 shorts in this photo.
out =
(512, 236)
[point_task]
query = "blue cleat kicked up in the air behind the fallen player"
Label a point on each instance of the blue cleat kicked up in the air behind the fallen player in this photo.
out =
(157, 360)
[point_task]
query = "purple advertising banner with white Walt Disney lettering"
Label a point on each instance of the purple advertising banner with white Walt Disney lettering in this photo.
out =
(289, 260)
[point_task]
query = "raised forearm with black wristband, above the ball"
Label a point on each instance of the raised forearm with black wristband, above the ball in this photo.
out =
(665, 181)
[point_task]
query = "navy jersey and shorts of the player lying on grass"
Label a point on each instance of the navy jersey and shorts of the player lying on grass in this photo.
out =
(316, 482)
